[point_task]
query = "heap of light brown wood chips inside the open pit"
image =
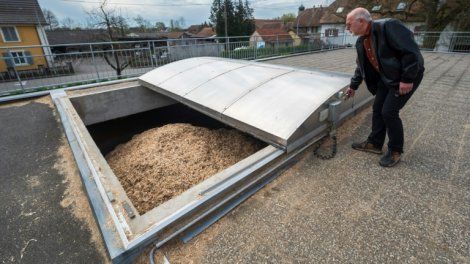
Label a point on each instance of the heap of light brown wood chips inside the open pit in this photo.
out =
(163, 162)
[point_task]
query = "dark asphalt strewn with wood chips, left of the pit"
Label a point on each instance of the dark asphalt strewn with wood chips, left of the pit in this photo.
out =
(44, 215)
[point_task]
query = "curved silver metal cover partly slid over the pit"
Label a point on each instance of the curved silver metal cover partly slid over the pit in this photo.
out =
(274, 103)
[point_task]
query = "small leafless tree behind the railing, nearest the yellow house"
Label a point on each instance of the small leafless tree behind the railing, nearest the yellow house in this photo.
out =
(107, 18)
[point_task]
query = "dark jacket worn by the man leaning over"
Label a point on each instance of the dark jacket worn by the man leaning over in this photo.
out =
(397, 53)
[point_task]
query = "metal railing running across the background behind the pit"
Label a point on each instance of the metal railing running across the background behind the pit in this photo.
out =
(35, 68)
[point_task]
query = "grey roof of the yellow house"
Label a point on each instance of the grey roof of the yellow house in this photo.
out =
(21, 12)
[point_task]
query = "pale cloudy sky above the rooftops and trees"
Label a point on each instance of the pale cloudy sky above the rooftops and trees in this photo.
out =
(193, 11)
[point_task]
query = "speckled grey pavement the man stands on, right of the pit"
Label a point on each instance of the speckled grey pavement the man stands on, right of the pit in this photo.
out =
(349, 209)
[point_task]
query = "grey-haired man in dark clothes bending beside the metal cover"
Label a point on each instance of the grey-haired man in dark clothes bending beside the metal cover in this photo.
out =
(390, 63)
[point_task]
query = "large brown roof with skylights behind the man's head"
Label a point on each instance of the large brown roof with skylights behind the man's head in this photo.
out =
(336, 12)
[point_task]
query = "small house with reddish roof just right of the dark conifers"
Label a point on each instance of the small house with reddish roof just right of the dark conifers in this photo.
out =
(270, 38)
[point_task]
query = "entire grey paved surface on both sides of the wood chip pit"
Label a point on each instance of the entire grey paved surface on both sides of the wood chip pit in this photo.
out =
(347, 209)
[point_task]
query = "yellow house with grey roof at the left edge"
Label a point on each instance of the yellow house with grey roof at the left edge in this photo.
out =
(22, 24)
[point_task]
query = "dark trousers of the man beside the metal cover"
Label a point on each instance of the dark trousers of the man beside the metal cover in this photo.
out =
(385, 115)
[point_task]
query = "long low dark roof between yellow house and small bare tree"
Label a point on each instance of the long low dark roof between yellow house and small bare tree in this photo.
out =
(69, 36)
